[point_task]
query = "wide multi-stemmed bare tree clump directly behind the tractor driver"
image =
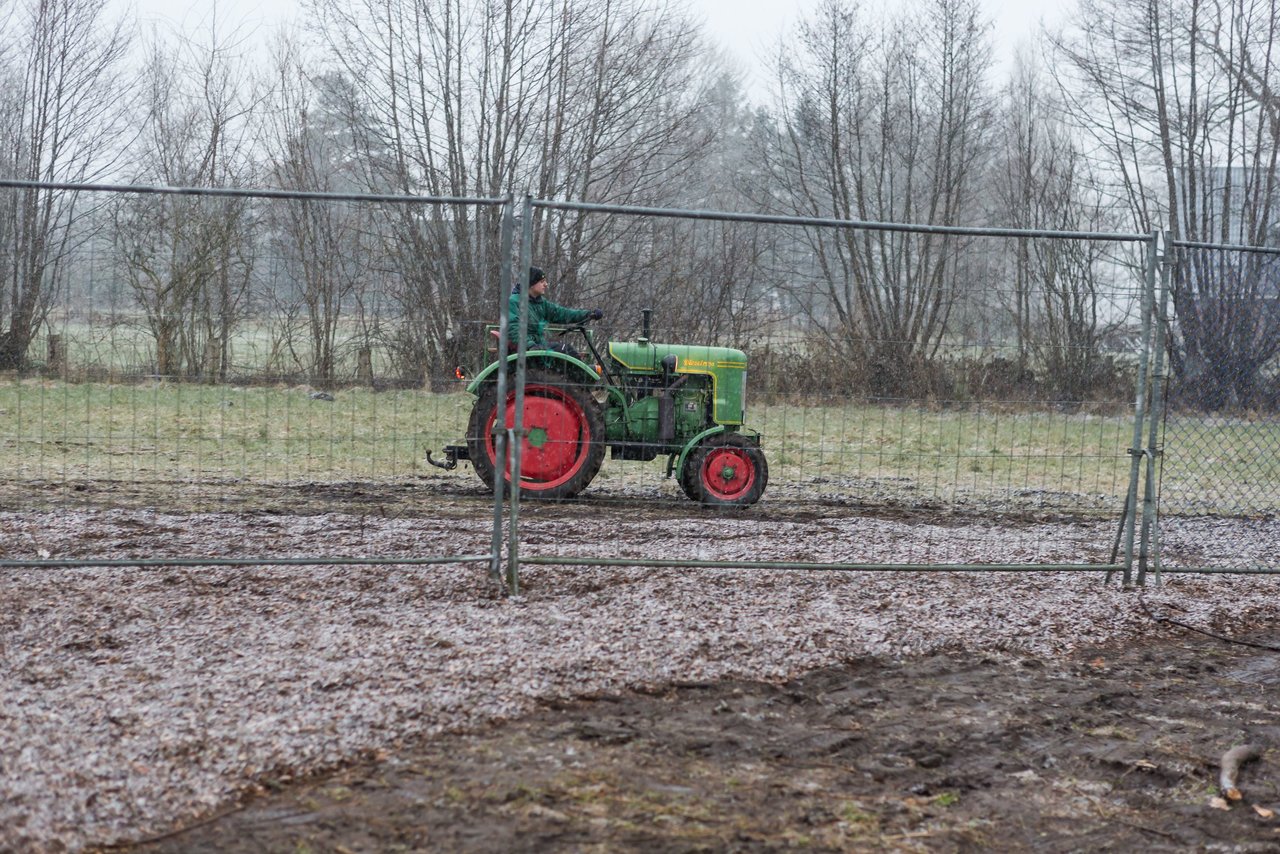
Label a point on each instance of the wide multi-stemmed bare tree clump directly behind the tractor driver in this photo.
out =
(572, 99)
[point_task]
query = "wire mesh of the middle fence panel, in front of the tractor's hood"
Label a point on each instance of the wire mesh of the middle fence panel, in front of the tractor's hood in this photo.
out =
(930, 373)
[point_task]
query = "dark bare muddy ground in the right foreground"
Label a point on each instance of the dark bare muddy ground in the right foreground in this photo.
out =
(1112, 750)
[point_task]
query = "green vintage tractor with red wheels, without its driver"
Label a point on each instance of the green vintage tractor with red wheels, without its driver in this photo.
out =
(638, 400)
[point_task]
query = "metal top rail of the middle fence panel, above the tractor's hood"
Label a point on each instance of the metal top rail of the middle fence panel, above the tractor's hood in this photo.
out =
(723, 216)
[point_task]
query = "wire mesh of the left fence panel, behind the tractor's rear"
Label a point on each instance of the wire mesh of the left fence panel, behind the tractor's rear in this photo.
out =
(240, 351)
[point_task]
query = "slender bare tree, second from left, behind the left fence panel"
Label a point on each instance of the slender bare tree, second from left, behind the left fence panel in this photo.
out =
(190, 261)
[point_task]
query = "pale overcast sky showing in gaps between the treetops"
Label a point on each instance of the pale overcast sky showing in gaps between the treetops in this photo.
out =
(748, 29)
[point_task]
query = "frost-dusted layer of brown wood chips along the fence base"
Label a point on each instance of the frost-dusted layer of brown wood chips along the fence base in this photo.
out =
(134, 698)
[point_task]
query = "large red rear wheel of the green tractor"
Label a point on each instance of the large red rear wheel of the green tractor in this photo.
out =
(564, 442)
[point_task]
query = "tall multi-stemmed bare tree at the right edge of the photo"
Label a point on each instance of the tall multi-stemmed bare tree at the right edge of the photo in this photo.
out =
(1191, 131)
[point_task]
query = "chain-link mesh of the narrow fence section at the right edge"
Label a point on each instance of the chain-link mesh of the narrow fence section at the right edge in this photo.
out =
(1218, 396)
